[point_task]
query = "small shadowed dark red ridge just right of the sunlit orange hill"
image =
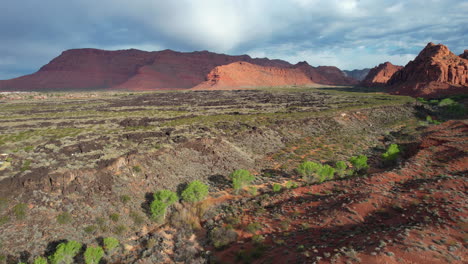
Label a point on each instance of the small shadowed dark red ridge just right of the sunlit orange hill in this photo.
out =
(329, 75)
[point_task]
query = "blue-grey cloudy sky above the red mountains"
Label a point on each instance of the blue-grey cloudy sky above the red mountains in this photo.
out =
(348, 34)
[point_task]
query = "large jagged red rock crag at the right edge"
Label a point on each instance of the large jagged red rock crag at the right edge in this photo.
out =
(435, 72)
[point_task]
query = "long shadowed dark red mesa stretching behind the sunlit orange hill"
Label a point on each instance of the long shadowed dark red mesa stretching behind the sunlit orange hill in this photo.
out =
(91, 69)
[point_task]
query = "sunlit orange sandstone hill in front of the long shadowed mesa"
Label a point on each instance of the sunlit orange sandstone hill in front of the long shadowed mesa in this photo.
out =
(243, 75)
